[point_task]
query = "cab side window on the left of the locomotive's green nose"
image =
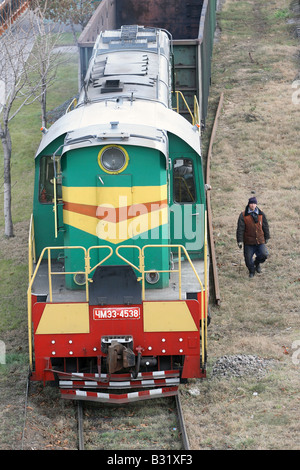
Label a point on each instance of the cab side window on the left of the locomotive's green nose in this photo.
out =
(46, 185)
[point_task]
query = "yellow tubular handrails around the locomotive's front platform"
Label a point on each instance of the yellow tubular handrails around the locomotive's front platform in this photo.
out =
(88, 270)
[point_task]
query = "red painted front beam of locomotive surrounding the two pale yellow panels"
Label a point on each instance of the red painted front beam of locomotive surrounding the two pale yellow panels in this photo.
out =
(157, 344)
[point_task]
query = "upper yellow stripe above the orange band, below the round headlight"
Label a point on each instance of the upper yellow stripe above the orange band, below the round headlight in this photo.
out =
(116, 197)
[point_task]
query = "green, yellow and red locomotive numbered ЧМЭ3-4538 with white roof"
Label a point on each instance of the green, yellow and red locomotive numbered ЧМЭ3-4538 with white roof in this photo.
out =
(118, 259)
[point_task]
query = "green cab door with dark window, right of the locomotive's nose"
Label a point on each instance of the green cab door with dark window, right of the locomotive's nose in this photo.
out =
(186, 212)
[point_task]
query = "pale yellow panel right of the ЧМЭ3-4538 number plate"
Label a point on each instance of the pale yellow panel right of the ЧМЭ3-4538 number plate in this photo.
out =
(167, 316)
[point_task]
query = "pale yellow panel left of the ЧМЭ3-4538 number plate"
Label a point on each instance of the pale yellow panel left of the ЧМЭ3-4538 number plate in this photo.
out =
(64, 318)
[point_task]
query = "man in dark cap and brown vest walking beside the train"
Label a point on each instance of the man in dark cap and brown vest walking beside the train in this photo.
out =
(253, 231)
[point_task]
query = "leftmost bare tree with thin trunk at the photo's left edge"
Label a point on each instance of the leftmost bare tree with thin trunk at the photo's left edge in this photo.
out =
(15, 47)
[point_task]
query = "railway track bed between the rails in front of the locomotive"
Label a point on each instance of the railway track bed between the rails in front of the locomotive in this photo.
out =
(96, 423)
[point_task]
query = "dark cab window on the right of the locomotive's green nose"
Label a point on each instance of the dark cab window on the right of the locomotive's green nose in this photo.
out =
(183, 181)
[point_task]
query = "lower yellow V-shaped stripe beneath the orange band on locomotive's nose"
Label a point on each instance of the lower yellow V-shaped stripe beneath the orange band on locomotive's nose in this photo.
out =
(117, 232)
